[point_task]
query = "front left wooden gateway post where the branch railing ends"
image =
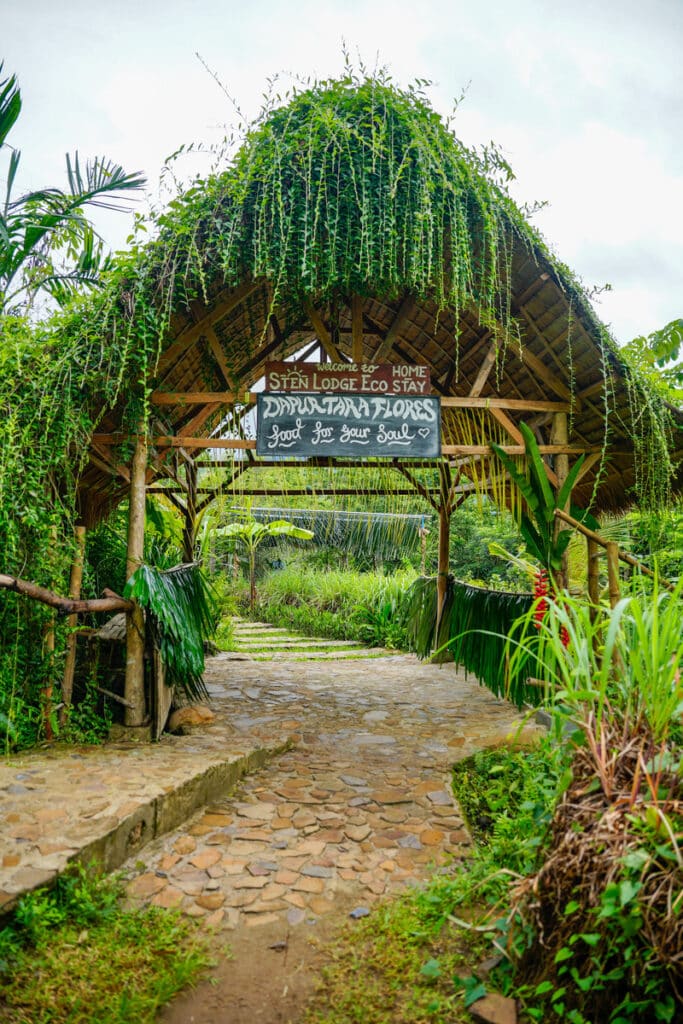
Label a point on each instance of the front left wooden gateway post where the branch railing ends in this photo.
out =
(135, 687)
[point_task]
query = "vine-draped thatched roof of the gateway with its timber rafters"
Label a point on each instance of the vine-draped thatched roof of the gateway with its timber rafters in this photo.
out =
(353, 222)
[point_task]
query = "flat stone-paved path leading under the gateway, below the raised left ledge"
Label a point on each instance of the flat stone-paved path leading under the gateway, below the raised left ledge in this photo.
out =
(360, 808)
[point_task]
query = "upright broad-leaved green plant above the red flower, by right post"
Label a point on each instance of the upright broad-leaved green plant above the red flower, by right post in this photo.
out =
(538, 526)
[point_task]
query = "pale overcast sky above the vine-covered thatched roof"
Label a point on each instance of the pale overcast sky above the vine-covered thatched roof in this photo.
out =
(585, 98)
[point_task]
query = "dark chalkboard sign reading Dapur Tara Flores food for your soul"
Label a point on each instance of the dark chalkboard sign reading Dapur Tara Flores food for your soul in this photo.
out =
(352, 425)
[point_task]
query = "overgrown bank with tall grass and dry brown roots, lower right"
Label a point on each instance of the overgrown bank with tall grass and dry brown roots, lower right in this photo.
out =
(603, 913)
